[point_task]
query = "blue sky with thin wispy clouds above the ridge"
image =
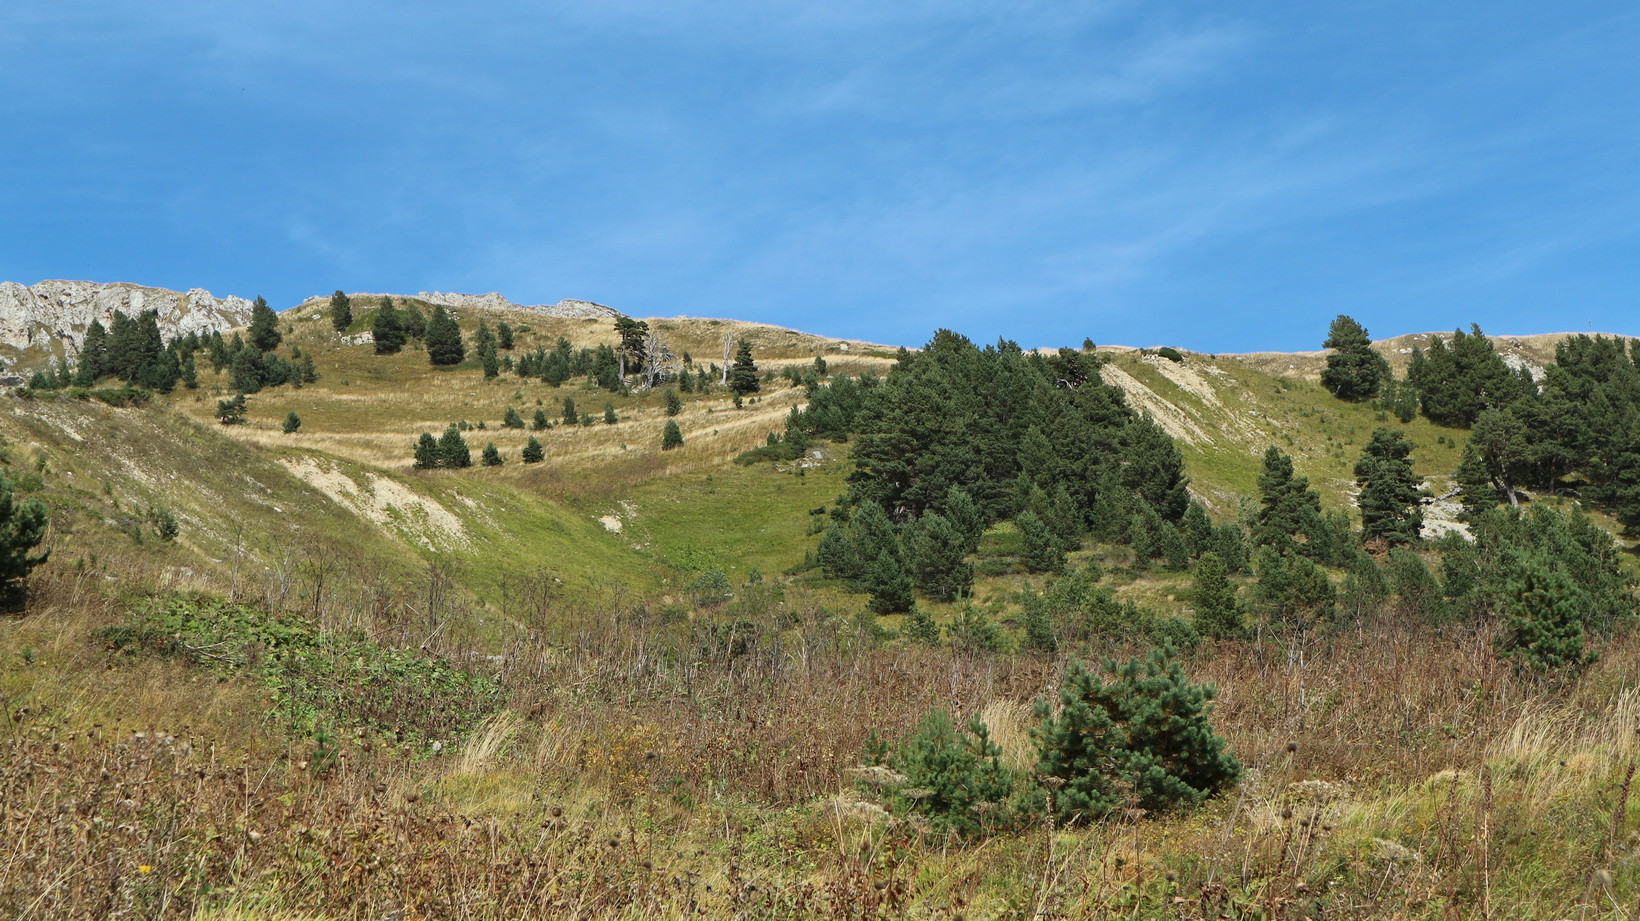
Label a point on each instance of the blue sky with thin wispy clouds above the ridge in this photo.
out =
(1213, 176)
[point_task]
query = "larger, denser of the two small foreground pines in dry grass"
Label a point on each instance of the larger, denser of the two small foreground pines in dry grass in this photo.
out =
(1144, 735)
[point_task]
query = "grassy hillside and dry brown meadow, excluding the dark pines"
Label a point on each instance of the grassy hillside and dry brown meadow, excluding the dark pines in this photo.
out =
(616, 686)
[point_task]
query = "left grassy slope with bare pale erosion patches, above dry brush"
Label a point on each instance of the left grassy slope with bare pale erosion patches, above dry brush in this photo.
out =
(255, 517)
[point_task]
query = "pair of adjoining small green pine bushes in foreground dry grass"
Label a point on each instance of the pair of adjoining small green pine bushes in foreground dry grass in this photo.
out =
(1134, 740)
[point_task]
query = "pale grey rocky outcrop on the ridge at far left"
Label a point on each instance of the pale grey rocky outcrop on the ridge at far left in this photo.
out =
(47, 322)
